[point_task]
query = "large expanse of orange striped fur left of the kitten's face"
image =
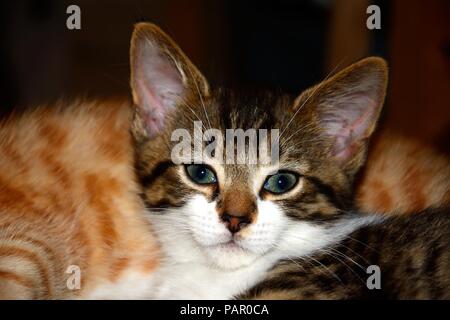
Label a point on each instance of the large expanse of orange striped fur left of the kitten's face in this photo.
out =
(68, 196)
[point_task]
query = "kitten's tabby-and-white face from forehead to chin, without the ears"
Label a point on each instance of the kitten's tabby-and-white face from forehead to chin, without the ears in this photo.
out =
(270, 222)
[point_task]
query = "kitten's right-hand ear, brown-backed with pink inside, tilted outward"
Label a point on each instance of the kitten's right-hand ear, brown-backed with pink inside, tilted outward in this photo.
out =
(346, 108)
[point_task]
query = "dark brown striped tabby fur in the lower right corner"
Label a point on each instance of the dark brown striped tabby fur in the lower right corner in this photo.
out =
(409, 255)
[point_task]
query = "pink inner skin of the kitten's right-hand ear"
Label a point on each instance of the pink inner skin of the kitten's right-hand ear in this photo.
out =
(349, 120)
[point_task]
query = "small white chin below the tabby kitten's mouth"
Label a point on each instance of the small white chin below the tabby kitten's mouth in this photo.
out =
(230, 256)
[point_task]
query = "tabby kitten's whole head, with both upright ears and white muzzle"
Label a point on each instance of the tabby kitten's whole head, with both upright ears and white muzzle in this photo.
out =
(233, 213)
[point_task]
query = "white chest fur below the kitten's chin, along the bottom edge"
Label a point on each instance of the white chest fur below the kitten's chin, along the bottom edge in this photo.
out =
(184, 281)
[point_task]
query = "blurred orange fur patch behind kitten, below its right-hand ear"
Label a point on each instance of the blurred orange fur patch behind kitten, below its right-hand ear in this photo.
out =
(403, 175)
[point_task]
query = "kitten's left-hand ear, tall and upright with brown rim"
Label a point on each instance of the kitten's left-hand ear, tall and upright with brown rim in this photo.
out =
(161, 77)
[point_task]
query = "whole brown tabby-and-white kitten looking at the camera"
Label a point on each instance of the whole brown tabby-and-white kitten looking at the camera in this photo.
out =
(223, 227)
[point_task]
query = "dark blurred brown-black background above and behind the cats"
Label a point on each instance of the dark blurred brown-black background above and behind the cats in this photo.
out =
(286, 44)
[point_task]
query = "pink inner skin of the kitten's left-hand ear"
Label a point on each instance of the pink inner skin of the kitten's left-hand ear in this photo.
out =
(159, 87)
